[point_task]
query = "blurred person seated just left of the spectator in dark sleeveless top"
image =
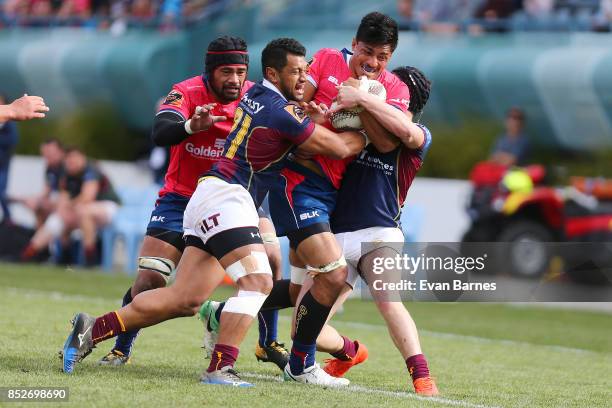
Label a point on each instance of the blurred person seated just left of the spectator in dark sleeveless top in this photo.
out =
(44, 204)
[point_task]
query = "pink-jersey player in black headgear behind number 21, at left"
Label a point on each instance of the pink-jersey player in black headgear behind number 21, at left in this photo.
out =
(194, 120)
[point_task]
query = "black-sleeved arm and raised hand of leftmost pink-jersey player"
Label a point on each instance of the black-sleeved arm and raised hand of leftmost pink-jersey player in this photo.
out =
(169, 128)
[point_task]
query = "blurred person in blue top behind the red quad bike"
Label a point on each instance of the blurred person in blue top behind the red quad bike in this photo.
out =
(512, 147)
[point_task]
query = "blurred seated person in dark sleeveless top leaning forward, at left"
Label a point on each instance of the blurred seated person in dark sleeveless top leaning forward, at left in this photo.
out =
(87, 201)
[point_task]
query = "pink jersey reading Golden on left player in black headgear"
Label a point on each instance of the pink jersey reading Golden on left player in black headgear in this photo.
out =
(196, 154)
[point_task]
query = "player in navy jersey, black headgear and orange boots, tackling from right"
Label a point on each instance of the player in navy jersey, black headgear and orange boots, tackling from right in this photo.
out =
(383, 172)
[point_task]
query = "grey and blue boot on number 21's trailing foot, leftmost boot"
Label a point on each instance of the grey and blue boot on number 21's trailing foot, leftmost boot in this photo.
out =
(79, 342)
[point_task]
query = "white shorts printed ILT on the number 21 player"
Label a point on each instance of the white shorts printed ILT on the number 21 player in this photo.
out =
(218, 206)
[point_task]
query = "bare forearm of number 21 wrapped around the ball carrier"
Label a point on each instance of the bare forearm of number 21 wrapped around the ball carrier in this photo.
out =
(335, 145)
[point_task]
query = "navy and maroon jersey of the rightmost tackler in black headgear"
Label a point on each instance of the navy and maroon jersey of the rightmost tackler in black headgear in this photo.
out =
(375, 186)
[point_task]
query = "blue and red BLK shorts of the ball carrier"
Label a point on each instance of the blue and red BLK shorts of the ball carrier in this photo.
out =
(301, 199)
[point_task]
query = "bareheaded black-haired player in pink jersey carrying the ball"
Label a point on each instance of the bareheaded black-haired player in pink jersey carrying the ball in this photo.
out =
(301, 205)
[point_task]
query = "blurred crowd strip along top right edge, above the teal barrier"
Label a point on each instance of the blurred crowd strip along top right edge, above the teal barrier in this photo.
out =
(505, 15)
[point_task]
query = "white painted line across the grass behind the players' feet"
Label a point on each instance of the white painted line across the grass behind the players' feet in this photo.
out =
(62, 297)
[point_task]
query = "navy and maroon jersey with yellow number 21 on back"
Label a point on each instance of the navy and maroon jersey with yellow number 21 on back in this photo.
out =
(266, 128)
